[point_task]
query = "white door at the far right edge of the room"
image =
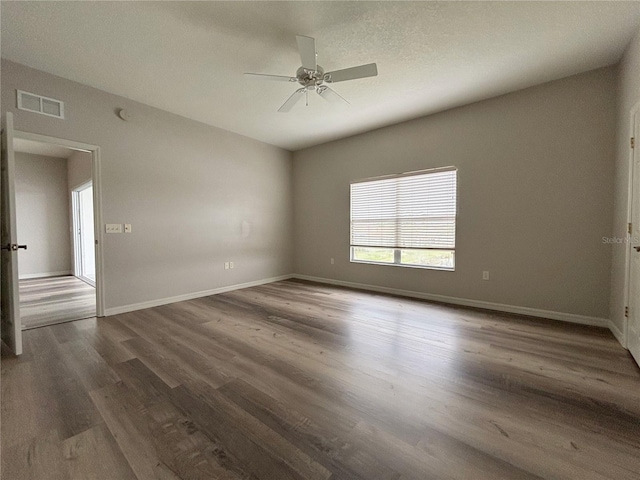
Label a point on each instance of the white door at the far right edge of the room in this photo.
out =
(633, 330)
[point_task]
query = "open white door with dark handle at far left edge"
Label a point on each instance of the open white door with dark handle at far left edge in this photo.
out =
(11, 327)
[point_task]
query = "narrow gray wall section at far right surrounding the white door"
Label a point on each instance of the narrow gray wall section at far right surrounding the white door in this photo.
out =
(628, 97)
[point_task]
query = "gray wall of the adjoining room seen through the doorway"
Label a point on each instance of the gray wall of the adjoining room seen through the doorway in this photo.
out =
(42, 208)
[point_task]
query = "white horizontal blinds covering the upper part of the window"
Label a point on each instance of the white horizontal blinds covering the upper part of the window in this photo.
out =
(407, 211)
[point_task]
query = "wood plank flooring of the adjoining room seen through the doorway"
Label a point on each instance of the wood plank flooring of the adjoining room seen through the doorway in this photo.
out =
(45, 301)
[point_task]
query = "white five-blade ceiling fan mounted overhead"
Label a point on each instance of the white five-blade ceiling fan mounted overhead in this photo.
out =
(313, 77)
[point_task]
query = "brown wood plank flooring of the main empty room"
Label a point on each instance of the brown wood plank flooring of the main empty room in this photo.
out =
(294, 380)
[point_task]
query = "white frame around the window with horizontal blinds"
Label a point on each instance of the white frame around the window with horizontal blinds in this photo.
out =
(397, 251)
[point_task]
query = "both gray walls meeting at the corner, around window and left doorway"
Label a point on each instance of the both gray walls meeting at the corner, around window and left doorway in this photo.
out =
(536, 172)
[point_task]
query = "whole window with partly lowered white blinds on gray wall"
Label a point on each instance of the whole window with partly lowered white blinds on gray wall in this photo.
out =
(407, 220)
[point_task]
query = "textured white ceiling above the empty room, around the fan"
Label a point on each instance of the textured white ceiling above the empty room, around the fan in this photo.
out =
(189, 57)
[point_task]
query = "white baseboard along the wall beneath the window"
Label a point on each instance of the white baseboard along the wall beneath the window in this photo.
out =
(534, 312)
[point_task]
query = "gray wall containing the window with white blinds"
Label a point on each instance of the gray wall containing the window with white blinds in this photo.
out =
(535, 180)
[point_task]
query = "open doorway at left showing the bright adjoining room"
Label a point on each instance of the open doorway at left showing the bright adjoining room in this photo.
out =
(56, 284)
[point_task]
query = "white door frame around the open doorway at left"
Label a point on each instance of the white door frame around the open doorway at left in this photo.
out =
(96, 178)
